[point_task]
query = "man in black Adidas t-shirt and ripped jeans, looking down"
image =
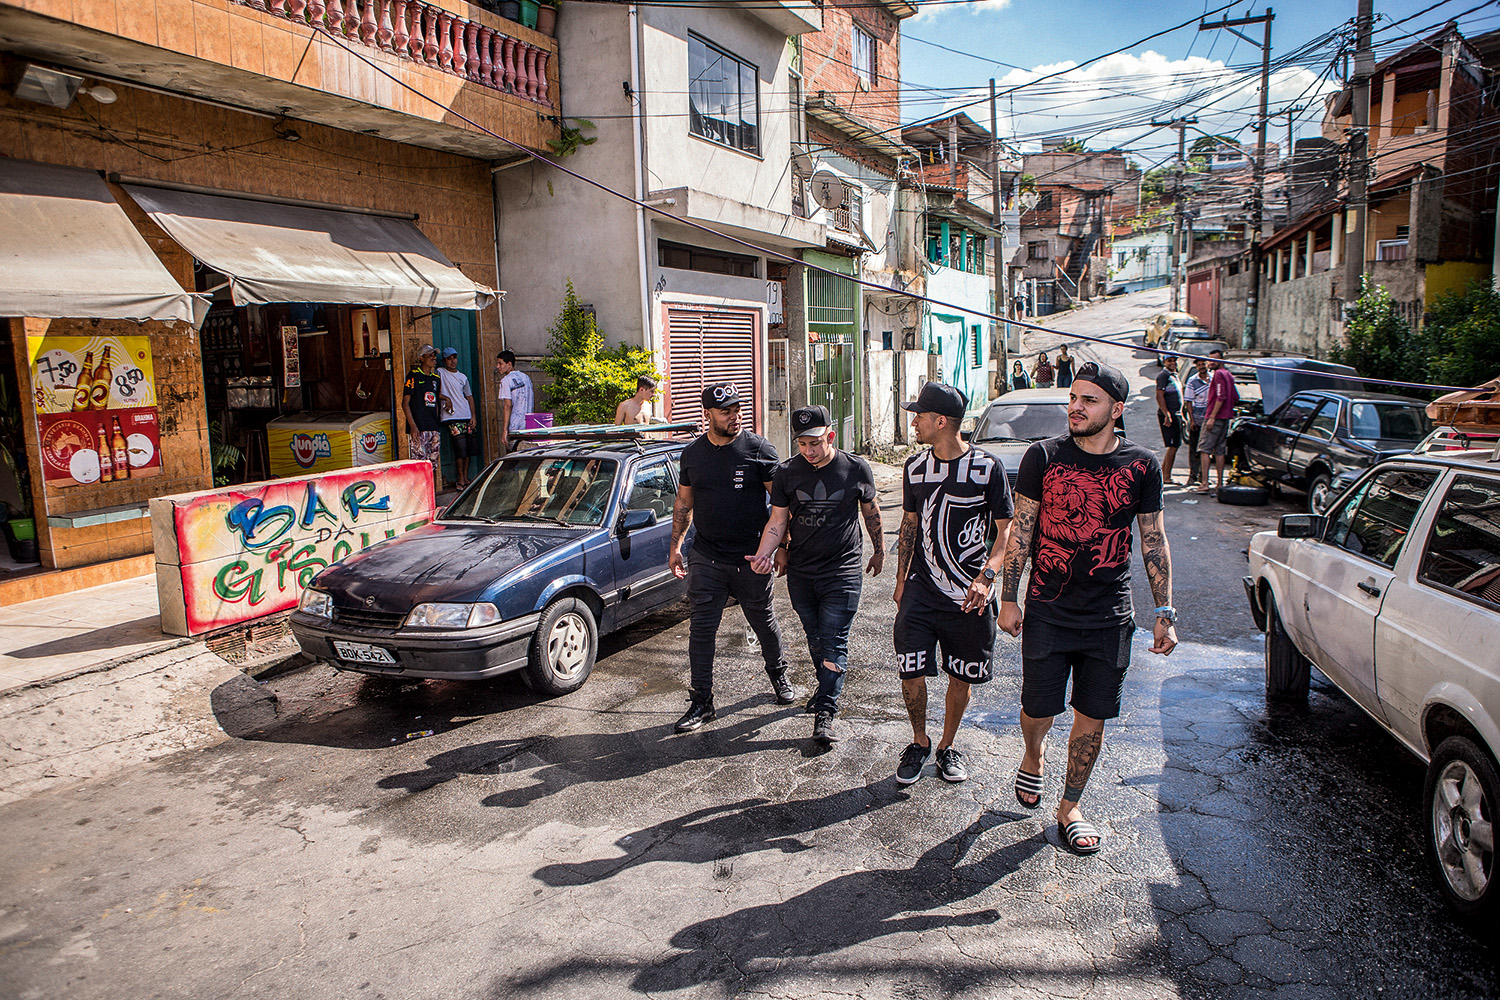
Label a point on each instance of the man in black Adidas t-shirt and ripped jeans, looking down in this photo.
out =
(821, 496)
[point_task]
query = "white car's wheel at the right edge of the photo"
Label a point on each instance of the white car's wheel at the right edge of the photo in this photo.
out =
(1462, 794)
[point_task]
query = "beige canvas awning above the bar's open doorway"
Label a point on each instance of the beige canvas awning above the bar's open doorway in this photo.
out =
(278, 253)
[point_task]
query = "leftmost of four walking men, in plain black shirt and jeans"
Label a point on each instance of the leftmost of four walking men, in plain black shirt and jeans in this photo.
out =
(725, 476)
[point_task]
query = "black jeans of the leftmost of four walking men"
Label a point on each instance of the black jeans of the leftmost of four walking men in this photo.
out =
(710, 585)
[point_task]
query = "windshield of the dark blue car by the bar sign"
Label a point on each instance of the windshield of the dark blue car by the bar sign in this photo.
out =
(557, 490)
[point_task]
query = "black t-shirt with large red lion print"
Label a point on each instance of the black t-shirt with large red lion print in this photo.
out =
(1082, 543)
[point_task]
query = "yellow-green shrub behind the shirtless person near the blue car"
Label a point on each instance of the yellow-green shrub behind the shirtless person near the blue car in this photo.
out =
(589, 380)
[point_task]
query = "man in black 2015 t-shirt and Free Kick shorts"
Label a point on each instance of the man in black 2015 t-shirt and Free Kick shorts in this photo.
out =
(956, 516)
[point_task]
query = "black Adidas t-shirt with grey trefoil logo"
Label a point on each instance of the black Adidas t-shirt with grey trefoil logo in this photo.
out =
(824, 506)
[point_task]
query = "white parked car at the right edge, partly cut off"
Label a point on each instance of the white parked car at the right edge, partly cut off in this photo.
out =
(1394, 594)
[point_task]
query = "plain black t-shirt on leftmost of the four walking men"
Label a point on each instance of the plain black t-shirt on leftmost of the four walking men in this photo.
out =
(728, 484)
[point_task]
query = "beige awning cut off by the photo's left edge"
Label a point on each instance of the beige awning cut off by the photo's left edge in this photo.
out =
(68, 250)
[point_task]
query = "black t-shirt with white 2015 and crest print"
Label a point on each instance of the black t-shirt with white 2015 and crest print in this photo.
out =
(958, 504)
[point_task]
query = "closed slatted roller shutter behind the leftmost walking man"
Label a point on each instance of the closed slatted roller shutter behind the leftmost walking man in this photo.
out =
(707, 347)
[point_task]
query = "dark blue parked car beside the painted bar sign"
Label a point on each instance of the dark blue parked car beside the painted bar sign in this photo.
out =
(545, 552)
